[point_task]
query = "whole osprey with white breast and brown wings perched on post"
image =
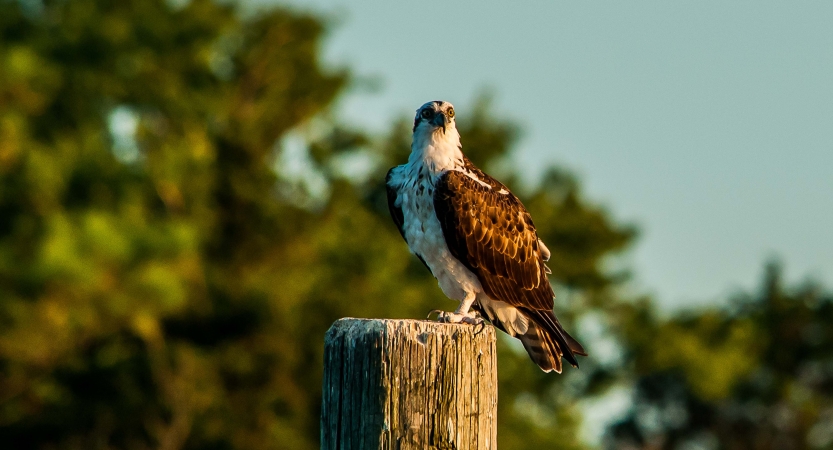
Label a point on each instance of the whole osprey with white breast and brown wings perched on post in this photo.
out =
(477, 239)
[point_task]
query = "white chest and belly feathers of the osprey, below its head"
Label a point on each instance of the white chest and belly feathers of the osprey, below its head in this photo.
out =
(415, 195)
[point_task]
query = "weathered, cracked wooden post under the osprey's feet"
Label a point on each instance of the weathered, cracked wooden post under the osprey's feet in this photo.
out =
(409, 384)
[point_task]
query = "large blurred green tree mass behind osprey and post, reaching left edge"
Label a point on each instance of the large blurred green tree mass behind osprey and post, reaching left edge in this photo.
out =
(167, 272)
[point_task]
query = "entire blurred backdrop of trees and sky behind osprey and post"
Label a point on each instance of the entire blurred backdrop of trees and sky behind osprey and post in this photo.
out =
(191, 192)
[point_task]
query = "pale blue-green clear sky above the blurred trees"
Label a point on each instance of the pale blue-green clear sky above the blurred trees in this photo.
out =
(708, 124)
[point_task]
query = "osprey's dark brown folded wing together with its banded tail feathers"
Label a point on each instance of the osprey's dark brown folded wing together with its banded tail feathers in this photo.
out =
(493, 235)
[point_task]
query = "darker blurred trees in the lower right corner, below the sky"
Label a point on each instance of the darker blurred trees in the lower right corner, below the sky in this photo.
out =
(759, 376)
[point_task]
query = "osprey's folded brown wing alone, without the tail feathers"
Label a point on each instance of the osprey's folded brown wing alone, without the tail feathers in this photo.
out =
(492, 234)
